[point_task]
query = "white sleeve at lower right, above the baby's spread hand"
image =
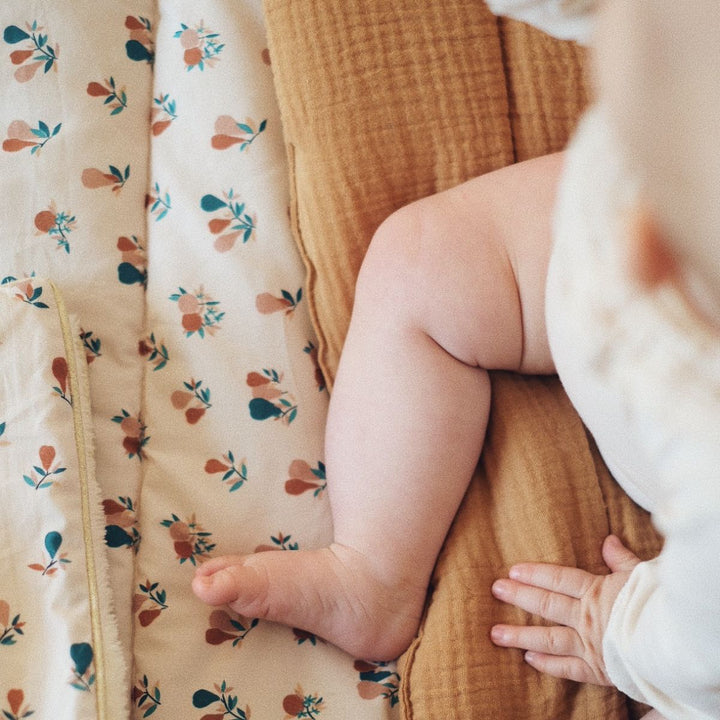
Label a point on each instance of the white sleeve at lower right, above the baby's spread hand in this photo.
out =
(662, 645)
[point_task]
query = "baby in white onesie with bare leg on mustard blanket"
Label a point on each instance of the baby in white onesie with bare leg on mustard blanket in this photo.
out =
(456, 285)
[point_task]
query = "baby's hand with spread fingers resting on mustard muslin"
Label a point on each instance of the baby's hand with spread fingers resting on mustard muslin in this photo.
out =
(577, 601)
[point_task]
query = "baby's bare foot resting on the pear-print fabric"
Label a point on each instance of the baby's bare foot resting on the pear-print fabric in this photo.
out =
(334, 592)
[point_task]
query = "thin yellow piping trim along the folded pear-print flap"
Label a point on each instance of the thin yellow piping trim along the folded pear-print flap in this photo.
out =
(82, 451)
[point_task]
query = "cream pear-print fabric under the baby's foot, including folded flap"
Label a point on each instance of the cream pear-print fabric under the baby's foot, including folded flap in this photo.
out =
(143, 171)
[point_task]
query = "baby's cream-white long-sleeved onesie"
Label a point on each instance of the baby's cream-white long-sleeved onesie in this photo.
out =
(643, 371)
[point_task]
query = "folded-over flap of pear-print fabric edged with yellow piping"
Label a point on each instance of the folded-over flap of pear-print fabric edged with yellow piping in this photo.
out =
(58, 639)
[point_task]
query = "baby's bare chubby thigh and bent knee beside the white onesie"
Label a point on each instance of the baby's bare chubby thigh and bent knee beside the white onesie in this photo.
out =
(468, 266)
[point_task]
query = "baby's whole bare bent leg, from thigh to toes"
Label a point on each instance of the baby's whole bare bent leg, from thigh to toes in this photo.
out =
(452, 286)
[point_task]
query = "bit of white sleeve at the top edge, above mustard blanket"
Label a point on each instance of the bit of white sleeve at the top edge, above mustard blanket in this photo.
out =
(564, 19)
